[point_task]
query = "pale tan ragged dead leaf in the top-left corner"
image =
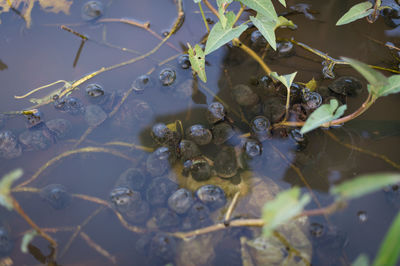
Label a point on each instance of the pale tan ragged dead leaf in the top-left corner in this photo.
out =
(27, 6)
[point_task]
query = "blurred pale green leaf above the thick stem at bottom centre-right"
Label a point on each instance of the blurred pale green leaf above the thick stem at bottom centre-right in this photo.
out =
(286, 205)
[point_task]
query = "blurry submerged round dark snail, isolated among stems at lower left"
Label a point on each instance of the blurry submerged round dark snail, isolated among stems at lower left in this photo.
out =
(56, 195)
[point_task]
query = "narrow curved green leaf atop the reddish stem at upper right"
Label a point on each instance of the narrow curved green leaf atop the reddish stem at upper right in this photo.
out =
(376, 79)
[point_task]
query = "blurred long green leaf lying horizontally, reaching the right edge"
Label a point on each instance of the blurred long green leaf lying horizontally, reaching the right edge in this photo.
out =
(363, 185)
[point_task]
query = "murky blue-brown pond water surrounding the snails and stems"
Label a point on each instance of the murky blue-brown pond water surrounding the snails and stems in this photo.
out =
(119, 202)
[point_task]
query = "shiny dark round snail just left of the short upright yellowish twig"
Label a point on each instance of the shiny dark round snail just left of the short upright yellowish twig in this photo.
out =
(211, 195)
